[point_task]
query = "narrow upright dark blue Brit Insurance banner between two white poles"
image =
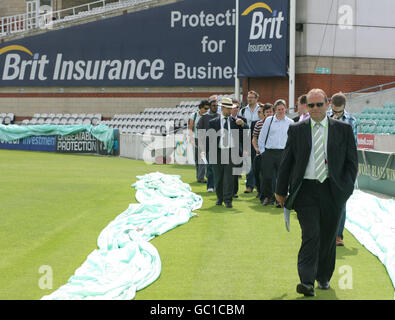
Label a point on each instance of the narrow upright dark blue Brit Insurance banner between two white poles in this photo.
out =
(263, 38)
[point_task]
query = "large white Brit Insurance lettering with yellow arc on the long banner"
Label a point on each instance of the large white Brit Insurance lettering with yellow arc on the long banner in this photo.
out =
(21, 64)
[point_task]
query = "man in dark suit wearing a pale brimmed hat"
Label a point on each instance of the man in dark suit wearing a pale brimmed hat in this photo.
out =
(224, 136)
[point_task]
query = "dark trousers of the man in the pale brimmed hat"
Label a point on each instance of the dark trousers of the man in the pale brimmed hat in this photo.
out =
(224, 181)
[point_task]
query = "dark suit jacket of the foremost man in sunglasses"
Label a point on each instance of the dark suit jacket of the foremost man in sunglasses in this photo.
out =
(341, 154)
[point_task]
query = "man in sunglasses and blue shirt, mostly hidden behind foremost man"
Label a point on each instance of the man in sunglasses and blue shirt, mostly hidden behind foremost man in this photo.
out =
(337, 111)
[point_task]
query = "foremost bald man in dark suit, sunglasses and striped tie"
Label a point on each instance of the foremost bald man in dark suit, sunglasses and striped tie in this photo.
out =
(318, 170)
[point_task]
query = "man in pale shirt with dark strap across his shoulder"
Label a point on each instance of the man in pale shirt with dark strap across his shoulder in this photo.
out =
(271, 143)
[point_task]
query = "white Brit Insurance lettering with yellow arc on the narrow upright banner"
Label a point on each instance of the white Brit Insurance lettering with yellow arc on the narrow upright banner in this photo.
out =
(266, 26)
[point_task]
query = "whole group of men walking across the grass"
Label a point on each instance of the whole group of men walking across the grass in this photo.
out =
(308, 164)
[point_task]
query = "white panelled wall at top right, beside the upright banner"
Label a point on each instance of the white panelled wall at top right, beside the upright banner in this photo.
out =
(346, 28)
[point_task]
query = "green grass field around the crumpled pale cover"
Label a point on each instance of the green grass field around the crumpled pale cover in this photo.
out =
(54, 206)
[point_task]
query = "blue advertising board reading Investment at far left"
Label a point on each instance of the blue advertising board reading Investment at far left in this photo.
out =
(33, 143)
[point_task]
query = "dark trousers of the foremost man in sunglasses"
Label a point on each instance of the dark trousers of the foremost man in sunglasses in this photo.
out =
(319, 220)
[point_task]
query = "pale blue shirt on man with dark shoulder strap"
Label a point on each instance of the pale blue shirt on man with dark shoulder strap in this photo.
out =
(278, 133)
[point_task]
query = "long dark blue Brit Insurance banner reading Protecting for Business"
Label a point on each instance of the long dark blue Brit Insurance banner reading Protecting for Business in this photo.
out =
(187, 43)
